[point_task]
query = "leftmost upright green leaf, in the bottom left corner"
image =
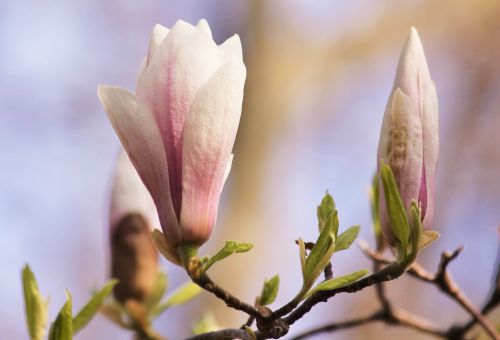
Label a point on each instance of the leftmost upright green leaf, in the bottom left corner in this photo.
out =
(35, 305)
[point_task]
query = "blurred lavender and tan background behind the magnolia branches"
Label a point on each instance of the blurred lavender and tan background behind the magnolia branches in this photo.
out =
(319, 73)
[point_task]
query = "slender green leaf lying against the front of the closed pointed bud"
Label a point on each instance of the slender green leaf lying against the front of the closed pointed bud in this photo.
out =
(395, 206)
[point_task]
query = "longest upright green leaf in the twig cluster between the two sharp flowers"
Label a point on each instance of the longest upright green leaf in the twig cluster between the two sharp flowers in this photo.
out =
(322, 251)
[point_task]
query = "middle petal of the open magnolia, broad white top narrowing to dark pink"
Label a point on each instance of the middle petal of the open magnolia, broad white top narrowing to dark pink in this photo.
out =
(184, 61)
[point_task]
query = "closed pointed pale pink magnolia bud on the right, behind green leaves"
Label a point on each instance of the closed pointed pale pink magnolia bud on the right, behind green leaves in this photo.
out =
(409, 140)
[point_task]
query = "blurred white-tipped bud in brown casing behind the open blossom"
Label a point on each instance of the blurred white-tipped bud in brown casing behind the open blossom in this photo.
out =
(134, 259)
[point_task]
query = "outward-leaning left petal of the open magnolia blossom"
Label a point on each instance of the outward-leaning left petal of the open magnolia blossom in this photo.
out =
(135, 126)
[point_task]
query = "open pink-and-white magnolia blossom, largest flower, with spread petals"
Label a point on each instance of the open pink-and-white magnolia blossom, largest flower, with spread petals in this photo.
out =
(180, 125)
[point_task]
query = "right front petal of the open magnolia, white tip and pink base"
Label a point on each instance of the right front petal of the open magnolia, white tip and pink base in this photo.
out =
(209, 134)
